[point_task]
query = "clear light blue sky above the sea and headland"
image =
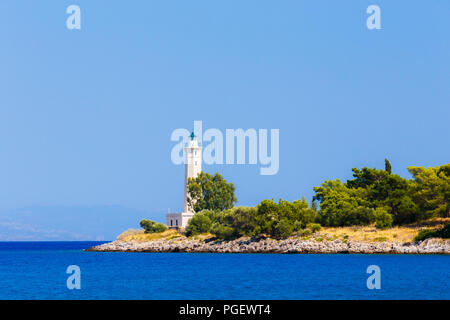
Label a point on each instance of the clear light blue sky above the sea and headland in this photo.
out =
(86, 115)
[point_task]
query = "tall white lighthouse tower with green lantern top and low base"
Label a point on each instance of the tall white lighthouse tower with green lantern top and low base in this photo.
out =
(193, 166)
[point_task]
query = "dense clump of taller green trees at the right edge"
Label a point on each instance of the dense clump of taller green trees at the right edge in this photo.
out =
(406, 201)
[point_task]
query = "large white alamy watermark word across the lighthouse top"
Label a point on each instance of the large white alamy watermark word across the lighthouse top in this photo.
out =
(237, 146)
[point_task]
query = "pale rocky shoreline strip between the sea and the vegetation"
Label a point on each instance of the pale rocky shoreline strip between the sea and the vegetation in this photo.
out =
(287, 246)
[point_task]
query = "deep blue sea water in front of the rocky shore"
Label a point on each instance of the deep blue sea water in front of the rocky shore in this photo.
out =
(37, 270)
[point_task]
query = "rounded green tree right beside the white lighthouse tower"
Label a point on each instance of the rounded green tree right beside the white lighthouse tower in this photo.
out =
(210, 192)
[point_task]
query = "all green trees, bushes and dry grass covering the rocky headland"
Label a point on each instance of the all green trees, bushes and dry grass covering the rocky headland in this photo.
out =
(373, 200)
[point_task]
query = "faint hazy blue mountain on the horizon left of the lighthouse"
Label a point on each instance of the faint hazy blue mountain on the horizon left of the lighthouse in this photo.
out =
(71, 223)
